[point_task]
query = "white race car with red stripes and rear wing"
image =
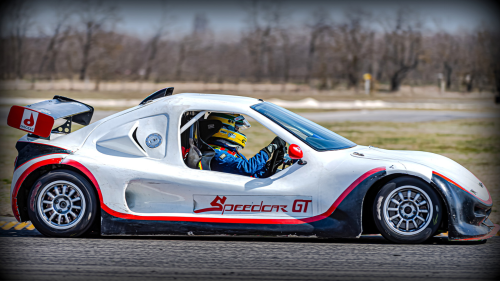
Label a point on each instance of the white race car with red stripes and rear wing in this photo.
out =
(127, 175)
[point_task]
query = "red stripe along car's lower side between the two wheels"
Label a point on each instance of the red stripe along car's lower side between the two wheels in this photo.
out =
(220, 220)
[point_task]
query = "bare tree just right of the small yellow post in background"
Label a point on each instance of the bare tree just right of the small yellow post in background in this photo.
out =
(403, 46)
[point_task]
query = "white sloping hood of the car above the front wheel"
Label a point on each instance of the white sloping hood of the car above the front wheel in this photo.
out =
(438, 163)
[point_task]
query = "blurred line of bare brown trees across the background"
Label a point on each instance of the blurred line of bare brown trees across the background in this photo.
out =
(324, 52)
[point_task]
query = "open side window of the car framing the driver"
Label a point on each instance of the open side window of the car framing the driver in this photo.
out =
(205, 146)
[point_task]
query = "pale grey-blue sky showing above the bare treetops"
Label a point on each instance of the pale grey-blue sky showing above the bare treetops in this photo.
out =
(227, 17)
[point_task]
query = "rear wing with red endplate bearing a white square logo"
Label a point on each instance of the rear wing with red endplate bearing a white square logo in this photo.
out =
(38, 118)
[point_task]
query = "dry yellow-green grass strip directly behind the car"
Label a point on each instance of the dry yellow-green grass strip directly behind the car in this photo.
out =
(472, 143)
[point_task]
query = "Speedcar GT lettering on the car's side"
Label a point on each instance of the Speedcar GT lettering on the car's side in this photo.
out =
(218, 204)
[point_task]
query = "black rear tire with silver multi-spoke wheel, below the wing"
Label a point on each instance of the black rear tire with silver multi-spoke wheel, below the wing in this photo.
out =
(63, 203)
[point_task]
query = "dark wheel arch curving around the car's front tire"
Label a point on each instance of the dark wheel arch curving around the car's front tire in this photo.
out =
(368, 223)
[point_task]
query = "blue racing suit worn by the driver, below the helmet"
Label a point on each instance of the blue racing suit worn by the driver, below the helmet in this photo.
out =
(229, 160)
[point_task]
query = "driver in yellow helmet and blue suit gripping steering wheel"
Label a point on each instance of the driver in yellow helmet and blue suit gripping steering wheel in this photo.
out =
(228, 141)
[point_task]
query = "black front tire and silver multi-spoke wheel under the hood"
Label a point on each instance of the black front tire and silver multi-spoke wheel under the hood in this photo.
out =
(403, 217)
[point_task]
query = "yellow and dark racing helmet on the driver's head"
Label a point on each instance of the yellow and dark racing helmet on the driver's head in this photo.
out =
(229, 133)
